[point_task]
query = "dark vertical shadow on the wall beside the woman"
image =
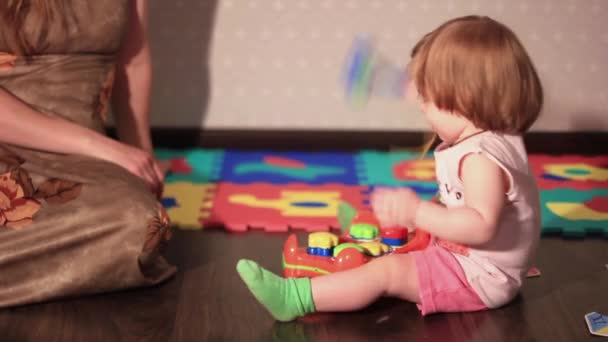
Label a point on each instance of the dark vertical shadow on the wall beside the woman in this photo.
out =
(180, 36)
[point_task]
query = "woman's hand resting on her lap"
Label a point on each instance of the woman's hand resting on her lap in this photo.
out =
(137, 161)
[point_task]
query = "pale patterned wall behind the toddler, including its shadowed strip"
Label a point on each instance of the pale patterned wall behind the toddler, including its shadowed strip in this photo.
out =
(277, 63)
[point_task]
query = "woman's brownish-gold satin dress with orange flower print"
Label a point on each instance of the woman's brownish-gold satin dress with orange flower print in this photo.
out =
(72, 225)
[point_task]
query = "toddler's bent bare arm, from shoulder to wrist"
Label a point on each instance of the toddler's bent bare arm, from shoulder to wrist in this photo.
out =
(485, 185)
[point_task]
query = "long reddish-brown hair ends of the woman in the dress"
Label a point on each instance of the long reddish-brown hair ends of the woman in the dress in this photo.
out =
(20, 39)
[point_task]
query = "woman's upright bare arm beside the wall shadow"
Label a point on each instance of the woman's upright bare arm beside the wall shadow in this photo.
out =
(132, 83)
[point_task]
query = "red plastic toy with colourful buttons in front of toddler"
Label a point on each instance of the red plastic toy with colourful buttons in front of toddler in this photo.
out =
(362, 239)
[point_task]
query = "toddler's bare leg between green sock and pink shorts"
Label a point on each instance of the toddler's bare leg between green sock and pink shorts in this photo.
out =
(393, 275)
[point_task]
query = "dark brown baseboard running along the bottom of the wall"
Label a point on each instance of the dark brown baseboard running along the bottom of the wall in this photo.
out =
(536, 142)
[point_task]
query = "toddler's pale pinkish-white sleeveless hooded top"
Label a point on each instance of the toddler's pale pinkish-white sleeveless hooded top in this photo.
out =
(497, 269)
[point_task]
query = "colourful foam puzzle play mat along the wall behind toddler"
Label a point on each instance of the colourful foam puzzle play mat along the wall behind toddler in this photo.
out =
(279, 191)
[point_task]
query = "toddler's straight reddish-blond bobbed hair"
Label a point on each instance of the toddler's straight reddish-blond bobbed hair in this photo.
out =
(476, 67)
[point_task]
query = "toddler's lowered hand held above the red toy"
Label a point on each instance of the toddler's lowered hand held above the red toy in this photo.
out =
(395, 207)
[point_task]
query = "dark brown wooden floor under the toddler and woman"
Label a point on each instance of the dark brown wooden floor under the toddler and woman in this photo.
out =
(206, 301)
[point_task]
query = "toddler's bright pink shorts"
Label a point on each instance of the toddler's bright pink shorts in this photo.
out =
(442, 284)
